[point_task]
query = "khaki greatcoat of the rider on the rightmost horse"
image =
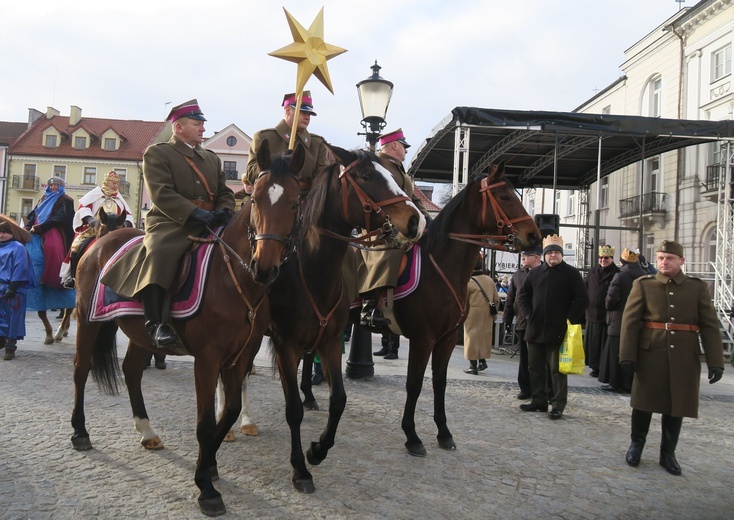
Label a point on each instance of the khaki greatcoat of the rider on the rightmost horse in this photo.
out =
(382, 268)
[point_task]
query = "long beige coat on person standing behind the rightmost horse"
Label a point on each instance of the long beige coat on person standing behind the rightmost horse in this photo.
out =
(479, 324)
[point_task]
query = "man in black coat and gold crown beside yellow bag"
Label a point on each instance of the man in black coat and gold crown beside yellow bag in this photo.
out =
(551, 294)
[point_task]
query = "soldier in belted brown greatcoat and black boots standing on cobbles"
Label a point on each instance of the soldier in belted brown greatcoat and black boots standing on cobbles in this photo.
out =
(662, 321)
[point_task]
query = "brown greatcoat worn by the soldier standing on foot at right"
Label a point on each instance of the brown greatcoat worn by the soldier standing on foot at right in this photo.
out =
(668, 362)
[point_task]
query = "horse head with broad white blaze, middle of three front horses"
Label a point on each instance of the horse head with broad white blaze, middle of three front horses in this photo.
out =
(370, 197)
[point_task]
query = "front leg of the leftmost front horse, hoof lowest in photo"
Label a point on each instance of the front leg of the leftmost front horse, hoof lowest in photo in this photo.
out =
(206, 373)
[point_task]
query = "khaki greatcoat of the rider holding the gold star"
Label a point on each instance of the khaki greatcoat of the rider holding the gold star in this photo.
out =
(318, 154)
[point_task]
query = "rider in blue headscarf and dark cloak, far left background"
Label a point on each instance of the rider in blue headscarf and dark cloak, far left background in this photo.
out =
(51, 219)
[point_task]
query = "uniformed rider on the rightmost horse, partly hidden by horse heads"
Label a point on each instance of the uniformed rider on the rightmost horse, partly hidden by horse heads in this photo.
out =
(380, 269)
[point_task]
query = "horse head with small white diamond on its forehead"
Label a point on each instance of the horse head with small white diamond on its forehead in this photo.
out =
(273, 210)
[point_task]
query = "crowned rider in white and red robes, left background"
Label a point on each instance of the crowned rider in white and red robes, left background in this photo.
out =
(107, 198)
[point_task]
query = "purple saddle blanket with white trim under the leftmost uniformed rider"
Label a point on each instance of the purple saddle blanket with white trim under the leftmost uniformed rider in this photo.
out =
(108, 305)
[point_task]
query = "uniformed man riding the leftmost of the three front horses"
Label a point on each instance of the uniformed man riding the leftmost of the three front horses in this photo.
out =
(189, 192)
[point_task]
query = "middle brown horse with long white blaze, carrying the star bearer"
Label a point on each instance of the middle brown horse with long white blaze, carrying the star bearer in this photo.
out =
(308, 302)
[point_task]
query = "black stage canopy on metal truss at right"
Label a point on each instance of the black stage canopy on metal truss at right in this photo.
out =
(533, 143)
